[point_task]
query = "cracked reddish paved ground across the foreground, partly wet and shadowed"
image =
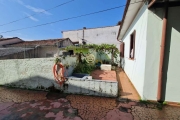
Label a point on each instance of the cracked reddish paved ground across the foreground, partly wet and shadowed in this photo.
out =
(18, 104)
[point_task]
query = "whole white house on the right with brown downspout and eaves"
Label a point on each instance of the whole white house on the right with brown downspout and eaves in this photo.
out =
(150, 41)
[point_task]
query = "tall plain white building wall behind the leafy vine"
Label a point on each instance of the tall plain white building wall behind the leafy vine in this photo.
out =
(100, 35)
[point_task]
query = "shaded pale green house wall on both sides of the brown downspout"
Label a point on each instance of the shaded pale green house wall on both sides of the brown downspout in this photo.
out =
(171, 76)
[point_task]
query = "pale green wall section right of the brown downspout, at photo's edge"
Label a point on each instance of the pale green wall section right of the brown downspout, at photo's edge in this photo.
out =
(171, 74)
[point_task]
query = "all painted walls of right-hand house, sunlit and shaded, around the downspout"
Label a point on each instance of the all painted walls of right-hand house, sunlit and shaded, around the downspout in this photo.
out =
(143, 71)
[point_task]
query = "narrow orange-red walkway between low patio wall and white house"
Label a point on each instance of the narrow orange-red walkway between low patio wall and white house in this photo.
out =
(126, 88)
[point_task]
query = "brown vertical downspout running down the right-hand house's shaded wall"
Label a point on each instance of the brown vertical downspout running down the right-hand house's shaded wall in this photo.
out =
(163, 39)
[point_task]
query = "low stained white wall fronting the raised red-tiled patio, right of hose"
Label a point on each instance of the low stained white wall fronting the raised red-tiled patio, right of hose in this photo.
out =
(89, 86)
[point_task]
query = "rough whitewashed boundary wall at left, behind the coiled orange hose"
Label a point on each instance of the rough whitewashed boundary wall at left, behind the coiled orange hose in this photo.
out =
(32, 73)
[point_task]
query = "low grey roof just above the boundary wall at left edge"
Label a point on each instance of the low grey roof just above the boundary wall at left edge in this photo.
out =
(17, 53)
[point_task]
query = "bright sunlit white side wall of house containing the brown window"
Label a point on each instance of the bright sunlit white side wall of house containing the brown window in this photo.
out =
(135, 69)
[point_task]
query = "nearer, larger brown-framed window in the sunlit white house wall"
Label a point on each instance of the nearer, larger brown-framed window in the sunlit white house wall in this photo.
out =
(132, 45)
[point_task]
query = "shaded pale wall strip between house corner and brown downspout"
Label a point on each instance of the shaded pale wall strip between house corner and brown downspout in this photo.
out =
(154, 33)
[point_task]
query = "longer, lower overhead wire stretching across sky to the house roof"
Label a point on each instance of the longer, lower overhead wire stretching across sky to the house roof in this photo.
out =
(69, 18)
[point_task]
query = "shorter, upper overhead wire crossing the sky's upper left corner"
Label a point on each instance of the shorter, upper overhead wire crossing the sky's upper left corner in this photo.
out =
(36, 13)
